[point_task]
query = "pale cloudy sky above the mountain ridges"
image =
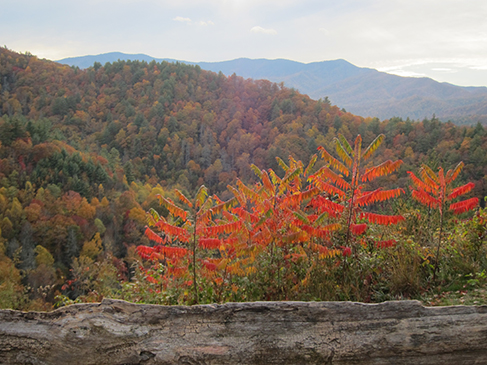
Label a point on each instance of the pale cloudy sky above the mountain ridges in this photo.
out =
(442, 39)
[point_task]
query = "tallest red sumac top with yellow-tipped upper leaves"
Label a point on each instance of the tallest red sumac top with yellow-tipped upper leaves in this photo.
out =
(345, 190)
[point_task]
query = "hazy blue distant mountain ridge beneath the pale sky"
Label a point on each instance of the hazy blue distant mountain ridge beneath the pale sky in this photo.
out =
(362, 91)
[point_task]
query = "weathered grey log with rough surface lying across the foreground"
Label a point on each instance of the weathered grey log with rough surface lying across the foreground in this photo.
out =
(117, 332)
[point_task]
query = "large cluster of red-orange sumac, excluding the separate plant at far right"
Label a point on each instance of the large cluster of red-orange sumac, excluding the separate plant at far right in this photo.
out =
(275, 223)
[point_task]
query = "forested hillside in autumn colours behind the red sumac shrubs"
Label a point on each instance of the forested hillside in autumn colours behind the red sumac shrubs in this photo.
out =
(84, 154)
